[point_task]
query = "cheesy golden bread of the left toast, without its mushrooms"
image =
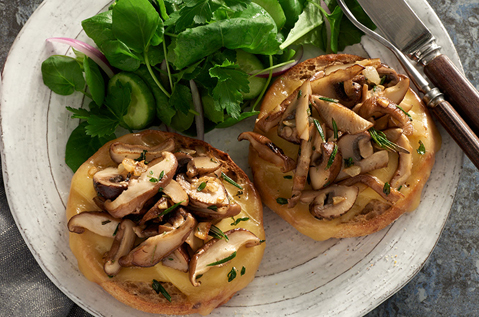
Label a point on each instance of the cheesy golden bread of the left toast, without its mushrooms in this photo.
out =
(133, 286)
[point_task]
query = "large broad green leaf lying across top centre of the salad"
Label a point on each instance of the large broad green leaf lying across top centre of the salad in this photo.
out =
(253, 30)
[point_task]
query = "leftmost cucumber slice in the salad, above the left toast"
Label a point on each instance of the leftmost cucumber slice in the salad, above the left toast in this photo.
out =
(141, 110)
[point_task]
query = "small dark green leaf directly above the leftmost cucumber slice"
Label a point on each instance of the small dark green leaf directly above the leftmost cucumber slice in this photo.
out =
(120, 56)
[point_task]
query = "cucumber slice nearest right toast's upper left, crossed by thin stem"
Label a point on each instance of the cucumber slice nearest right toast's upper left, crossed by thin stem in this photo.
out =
(251, 64)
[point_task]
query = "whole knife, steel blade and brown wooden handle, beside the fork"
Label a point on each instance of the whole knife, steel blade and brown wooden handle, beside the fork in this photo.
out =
(402, 27)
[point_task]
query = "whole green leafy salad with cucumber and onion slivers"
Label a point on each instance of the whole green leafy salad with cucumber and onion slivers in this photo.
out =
(189, 65)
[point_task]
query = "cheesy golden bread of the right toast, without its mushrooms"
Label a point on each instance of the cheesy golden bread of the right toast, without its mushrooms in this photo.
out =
(362, 219)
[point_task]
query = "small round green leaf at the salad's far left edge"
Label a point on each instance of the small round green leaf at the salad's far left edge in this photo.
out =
(62, 74)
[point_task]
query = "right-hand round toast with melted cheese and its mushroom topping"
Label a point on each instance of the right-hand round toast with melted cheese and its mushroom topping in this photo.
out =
(355, 199)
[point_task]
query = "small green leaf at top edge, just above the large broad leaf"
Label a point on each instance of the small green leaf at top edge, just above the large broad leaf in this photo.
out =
(194, 12)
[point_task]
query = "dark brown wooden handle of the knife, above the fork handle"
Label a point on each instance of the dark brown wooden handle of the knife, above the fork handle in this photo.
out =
(456, 88)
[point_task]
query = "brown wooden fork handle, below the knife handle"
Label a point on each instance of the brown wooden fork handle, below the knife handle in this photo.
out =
(458, 129)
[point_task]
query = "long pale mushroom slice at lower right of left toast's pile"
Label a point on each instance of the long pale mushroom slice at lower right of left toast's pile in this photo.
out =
(218, 252)
